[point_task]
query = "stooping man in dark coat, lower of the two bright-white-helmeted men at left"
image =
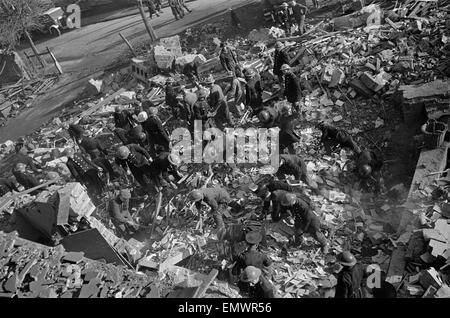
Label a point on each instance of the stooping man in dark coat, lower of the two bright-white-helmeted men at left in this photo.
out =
(135, 160)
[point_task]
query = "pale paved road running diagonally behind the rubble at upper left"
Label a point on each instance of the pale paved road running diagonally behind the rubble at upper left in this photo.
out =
(93, 48)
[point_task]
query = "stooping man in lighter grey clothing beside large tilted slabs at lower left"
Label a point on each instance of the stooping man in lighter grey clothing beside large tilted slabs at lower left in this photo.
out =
(119, 212)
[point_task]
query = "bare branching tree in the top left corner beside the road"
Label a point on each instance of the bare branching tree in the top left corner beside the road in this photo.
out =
(18, 18)
